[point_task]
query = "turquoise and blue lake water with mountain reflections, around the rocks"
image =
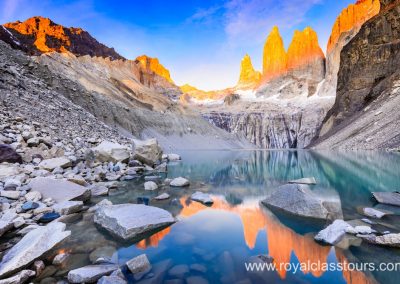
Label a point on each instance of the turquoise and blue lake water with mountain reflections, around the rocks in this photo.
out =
(214, 243)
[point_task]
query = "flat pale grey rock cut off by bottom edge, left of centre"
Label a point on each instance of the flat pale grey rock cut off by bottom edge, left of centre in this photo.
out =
(90, 273)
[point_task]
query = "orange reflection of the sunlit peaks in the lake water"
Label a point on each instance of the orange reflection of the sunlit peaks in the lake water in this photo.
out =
(282, 241)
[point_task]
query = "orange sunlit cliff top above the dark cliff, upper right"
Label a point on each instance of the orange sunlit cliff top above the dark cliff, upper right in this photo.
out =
(354, 15)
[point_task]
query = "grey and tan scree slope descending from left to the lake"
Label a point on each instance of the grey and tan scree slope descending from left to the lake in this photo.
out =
(63, 86)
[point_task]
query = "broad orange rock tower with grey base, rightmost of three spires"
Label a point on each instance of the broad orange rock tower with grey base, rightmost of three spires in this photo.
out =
(305, 55)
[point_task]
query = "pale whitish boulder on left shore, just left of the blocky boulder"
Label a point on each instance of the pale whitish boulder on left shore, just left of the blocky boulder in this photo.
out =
(108, 151)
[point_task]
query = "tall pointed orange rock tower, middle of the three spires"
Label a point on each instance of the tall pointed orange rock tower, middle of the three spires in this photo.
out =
(274, 56)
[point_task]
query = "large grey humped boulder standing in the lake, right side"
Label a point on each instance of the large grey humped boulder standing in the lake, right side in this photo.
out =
(300, 200)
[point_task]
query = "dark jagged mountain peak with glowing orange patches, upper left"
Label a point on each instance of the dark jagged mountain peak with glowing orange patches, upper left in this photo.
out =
(40, 35)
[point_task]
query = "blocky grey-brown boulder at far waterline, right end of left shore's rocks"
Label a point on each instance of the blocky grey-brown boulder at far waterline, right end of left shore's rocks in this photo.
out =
(147, 152)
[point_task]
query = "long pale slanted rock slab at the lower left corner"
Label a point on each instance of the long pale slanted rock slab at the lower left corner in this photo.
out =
(32, 246)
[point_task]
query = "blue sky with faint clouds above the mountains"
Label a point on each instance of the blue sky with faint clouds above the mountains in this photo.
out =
(200, 41)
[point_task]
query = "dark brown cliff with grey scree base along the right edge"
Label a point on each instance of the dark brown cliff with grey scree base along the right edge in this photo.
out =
(365, 113)
